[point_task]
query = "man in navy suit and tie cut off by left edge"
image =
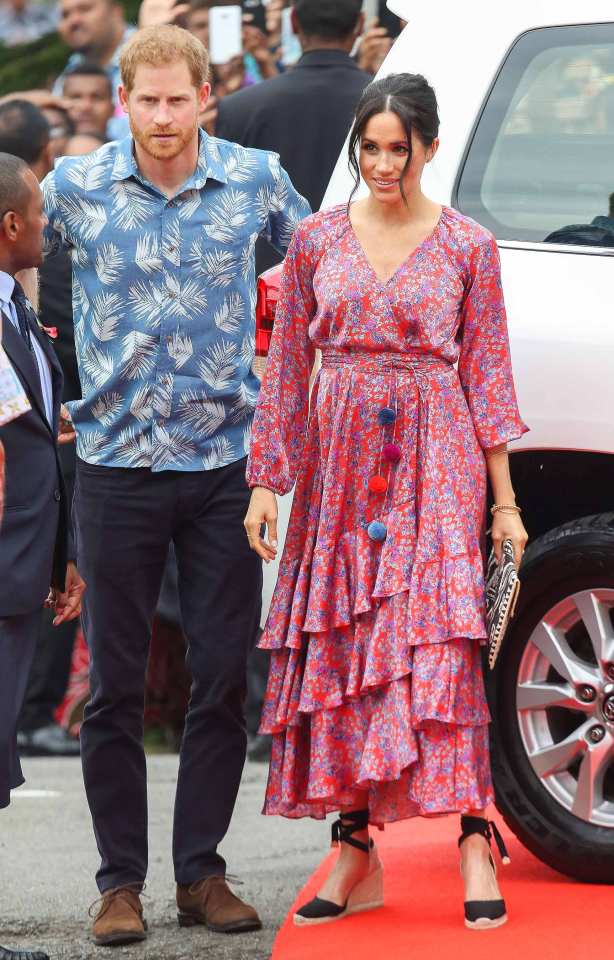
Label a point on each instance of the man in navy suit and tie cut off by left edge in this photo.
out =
(35, 547)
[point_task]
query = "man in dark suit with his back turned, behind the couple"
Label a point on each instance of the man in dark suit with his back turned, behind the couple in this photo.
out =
(305, 113)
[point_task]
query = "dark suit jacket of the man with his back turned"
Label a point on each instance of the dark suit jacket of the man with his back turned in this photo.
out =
(304, 115)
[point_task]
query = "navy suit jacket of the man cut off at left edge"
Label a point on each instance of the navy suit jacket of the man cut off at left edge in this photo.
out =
(34, 536)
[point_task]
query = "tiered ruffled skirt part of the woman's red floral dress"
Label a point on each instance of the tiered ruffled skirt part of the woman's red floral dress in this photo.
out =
(375, 681)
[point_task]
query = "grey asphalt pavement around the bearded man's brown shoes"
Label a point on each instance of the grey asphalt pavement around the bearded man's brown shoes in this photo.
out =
(49, 858)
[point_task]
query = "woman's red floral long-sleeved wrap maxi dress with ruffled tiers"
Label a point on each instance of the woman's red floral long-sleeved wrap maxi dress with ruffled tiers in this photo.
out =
(375, 626)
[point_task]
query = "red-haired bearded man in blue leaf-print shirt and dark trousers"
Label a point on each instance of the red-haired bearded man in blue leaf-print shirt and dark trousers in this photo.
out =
(161, 228)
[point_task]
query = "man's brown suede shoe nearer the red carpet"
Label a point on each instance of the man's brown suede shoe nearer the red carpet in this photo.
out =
(209, 901)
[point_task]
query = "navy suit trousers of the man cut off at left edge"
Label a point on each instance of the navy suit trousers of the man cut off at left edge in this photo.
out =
(18, 636)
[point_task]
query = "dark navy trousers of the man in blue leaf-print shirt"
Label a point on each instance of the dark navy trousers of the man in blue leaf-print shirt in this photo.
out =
(125, 520)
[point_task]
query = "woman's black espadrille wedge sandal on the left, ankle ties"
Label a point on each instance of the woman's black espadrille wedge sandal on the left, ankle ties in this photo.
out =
(368, 894)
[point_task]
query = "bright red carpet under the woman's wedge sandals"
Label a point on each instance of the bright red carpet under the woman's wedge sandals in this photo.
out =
(550, 916)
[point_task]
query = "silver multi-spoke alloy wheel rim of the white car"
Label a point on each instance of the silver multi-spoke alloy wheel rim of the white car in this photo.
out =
(565, 704)
